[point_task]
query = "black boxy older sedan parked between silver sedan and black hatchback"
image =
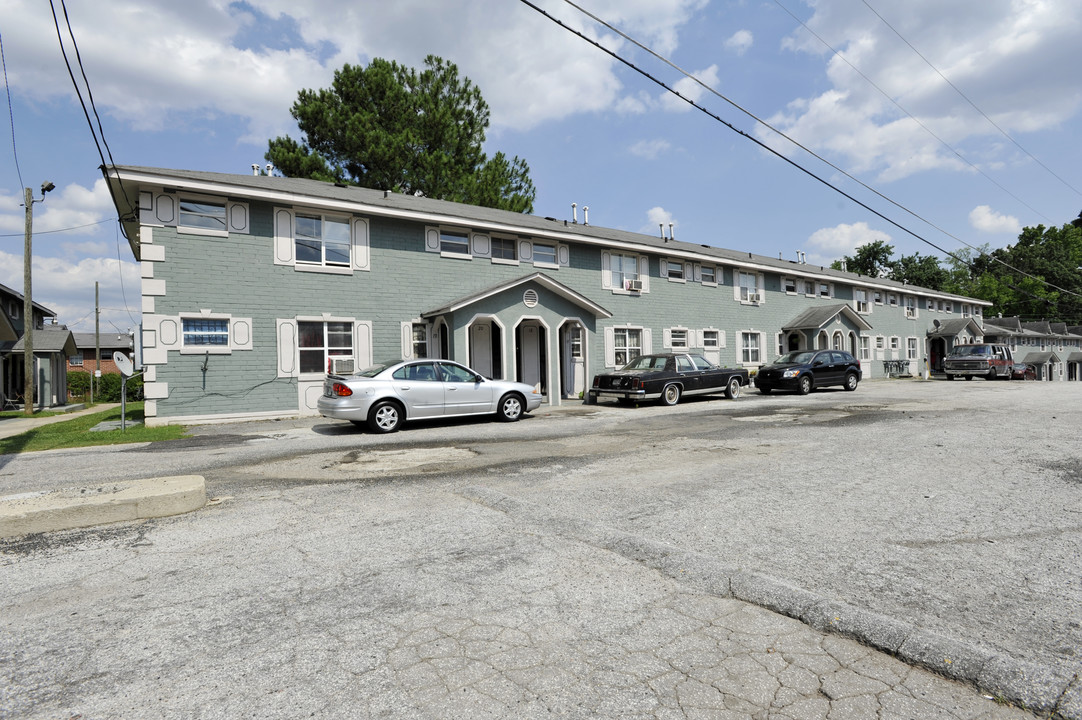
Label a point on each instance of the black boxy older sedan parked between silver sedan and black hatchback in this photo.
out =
(667, 377)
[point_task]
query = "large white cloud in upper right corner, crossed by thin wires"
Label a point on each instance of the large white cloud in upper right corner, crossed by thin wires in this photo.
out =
(1012, 61)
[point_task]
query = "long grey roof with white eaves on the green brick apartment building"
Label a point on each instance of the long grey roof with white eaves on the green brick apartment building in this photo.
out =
(289, 190)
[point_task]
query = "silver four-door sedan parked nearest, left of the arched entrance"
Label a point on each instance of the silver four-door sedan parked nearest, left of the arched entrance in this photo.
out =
(386, 396)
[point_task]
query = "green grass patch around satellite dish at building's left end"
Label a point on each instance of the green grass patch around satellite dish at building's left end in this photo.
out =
(76, 433)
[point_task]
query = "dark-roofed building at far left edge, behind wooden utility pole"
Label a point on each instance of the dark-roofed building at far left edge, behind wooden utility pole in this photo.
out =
(52, 344)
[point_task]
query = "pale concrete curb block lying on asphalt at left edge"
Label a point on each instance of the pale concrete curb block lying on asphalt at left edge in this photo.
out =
(99, 505)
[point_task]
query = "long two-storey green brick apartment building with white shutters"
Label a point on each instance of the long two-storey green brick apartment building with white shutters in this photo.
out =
(254, 287)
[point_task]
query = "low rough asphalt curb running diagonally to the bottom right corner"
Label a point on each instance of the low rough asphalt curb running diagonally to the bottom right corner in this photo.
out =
(1038, 688)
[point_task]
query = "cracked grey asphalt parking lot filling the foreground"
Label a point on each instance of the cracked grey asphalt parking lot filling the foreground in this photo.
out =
(344, 574)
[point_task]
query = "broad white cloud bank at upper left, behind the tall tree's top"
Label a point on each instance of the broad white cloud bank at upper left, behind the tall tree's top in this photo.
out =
(190, 62)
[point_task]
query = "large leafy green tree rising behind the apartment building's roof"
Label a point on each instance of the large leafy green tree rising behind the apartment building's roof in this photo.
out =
(390, 127)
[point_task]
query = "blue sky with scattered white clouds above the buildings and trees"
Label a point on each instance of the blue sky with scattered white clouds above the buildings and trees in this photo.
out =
(966, 113)
